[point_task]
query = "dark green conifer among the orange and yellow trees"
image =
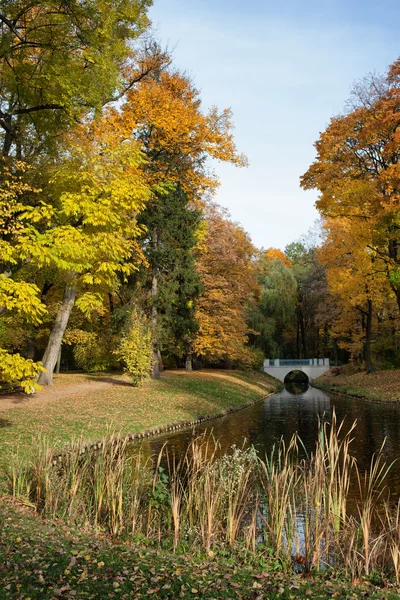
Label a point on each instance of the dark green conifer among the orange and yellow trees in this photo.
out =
(169, 243)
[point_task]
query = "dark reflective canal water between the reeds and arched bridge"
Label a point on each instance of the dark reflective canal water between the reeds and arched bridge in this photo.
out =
(297, 409)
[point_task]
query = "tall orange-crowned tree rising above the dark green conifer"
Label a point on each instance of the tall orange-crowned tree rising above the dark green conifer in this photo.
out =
(165, 115)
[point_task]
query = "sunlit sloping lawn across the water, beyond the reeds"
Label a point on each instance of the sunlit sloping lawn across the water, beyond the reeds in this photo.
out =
(73, 410)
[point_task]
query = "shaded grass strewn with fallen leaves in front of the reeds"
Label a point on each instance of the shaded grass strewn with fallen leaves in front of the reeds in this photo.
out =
(47, 560)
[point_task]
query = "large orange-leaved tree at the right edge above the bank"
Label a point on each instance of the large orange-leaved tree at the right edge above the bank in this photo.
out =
(357, 173)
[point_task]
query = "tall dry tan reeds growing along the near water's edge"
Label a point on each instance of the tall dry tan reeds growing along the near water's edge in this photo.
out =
(303, 508)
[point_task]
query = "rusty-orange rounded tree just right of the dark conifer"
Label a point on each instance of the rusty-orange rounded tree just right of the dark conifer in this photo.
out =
(227, 269)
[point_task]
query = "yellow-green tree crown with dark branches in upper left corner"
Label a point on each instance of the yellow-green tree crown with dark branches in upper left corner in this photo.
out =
(58, 62)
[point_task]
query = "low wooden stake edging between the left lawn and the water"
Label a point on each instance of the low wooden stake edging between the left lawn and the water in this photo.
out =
(155, 431)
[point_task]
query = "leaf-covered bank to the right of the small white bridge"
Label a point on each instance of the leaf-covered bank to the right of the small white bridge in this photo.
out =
(379, 385)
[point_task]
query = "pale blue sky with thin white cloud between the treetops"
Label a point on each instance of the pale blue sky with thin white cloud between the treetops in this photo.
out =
(285, 67)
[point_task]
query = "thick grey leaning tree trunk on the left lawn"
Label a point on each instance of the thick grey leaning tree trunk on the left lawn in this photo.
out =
(56, 335)
